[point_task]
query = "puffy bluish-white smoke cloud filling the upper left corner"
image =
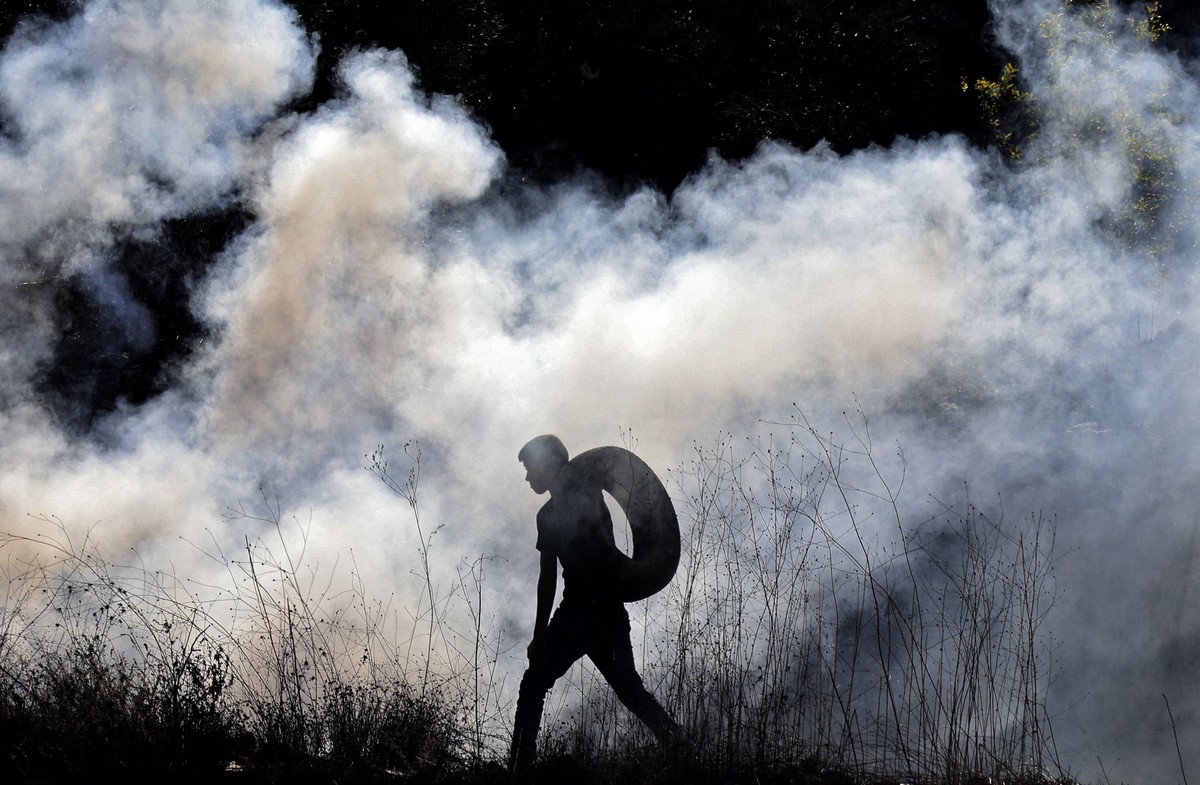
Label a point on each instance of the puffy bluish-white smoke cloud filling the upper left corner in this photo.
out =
(128, 115)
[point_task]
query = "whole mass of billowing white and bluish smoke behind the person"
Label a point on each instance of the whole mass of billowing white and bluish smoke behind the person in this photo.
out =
(988, 316)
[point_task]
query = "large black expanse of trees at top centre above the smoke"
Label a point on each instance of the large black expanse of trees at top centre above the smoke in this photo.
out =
(641, 92)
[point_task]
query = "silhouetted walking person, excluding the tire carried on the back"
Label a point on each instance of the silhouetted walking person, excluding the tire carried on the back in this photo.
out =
(574, 528)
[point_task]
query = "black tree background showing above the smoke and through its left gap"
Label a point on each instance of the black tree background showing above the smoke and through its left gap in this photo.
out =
(640, 93)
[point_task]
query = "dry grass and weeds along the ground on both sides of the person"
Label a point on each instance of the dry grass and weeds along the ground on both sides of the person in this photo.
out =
(817, 633)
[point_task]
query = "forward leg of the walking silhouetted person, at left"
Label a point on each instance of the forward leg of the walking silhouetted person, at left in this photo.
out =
(565, 645)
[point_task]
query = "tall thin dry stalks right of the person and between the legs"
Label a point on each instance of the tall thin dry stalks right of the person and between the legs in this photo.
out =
(812, 624)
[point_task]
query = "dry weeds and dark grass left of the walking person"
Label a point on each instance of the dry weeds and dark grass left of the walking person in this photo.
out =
(280, 666)
